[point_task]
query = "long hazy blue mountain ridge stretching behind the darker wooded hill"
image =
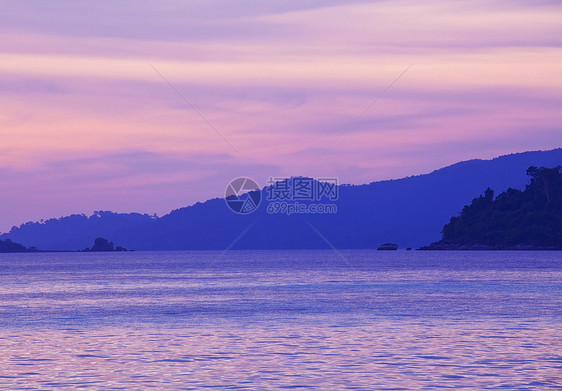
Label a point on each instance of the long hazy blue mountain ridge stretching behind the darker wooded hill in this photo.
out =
(409, 211)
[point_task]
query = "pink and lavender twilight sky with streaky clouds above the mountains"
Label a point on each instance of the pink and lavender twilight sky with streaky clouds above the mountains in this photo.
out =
(150, 106)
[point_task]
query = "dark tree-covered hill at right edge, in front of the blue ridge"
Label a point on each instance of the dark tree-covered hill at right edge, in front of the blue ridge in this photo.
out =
(529, 219)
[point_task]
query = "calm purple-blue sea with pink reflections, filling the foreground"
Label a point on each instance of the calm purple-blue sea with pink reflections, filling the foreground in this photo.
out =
(270, 320)
